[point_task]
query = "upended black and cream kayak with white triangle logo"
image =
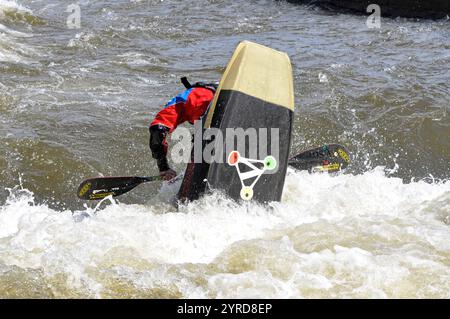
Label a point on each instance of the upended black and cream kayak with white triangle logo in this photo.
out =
(255, 98)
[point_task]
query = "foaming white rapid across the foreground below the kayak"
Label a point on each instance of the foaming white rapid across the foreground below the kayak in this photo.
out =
(369, 236)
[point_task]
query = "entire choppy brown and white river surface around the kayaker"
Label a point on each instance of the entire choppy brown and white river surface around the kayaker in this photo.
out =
(76, 103)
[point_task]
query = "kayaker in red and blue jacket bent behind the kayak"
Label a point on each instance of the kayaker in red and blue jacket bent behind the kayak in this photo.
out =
(187, 106)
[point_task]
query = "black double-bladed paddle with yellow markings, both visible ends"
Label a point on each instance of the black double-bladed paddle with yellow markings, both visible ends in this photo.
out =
(328, 158)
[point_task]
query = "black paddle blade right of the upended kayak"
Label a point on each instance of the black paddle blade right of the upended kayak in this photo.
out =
(328, 158)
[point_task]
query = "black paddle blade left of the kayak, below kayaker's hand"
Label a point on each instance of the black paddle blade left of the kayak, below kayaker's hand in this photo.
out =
(101, 187)
